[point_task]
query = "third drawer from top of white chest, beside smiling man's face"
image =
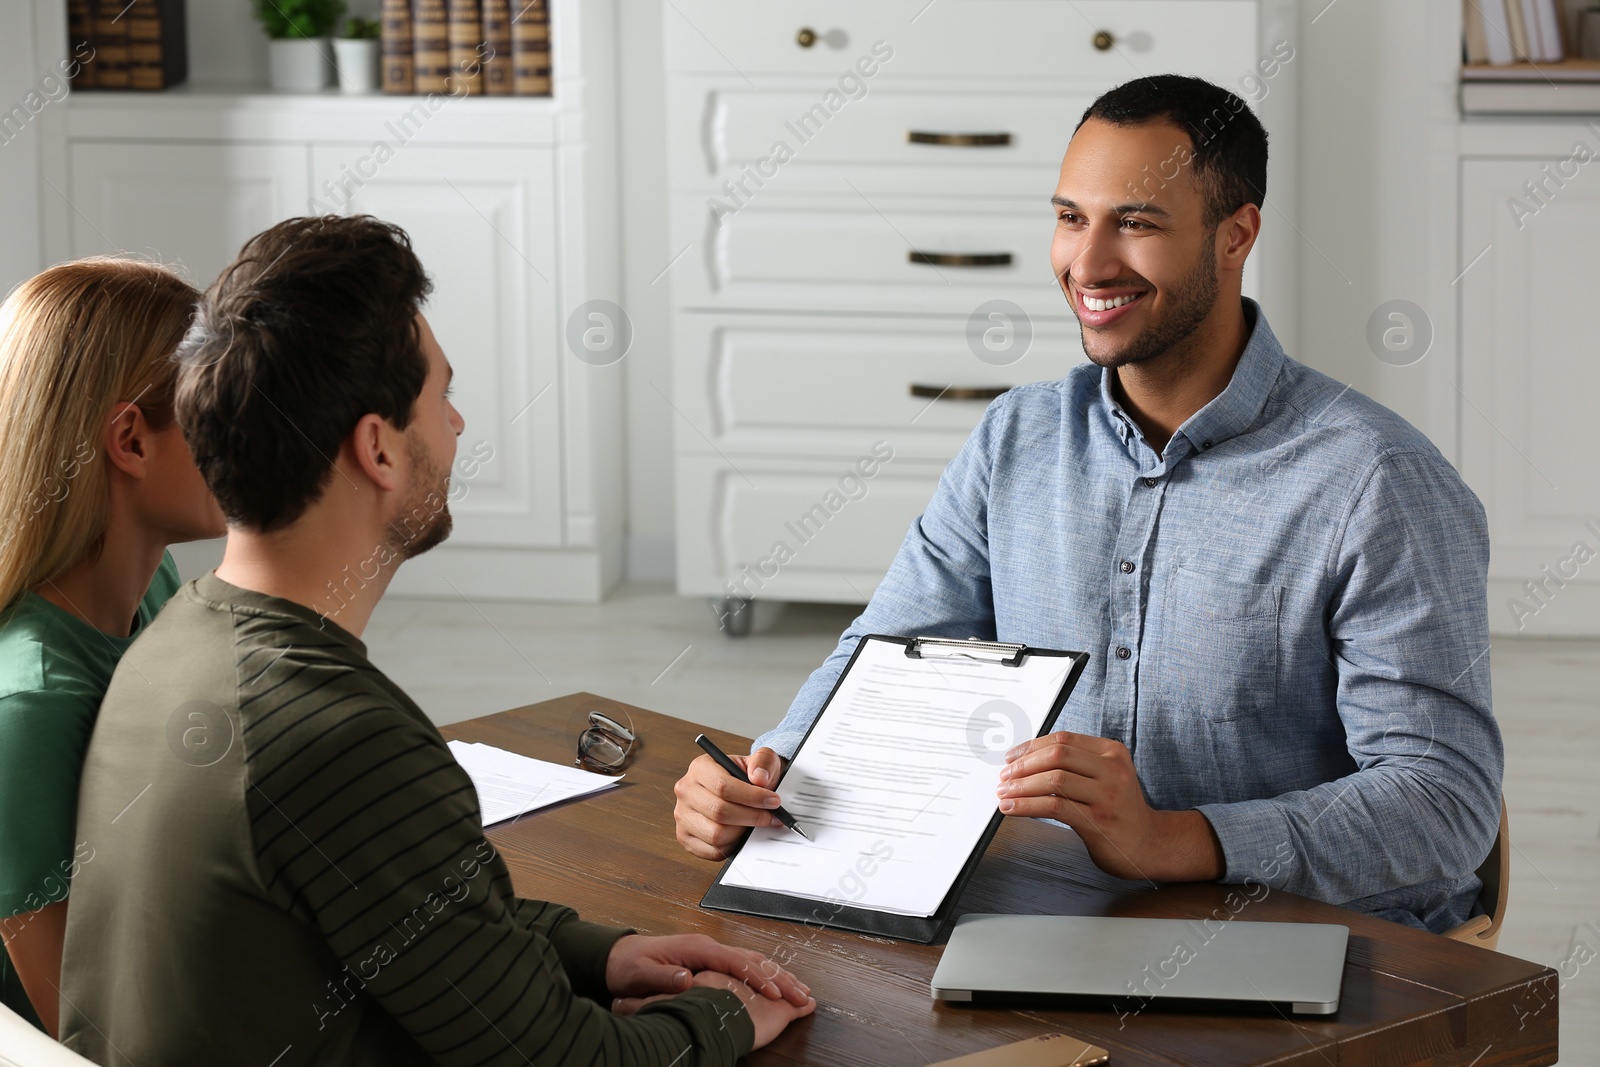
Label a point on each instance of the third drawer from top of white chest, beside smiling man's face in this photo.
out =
(852, 254)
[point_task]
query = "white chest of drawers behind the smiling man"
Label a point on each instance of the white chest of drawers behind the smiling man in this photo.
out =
(854, 188)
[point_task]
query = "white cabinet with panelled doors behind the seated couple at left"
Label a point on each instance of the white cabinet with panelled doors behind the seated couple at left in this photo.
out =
(511, 207)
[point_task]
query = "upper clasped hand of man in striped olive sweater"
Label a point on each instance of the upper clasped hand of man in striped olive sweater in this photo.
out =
(644, 970)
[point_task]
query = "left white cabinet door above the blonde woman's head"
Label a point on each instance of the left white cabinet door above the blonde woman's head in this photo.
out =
(190, 206)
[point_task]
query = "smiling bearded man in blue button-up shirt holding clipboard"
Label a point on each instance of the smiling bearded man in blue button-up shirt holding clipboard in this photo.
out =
(1282, 583)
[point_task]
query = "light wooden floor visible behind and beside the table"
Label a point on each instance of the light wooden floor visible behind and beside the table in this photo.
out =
(652, 649)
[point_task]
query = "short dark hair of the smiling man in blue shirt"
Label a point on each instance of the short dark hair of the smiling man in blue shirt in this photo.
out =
(1230, 154)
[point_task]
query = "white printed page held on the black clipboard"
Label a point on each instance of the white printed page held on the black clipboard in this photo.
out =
(897, 781)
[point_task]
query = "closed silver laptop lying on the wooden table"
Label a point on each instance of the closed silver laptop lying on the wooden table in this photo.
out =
(1137, 962)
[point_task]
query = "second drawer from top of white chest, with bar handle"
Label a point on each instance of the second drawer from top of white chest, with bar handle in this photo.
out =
(935, 142)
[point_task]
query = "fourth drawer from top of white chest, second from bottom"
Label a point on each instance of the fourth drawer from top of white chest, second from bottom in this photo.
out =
(831, 386)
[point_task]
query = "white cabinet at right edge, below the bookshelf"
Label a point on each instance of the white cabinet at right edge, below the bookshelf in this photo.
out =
(1529, 375)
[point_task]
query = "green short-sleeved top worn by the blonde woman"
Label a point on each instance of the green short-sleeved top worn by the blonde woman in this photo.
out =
(54, 673)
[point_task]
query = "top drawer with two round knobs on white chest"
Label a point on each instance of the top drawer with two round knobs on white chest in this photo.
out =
(972, 39)
